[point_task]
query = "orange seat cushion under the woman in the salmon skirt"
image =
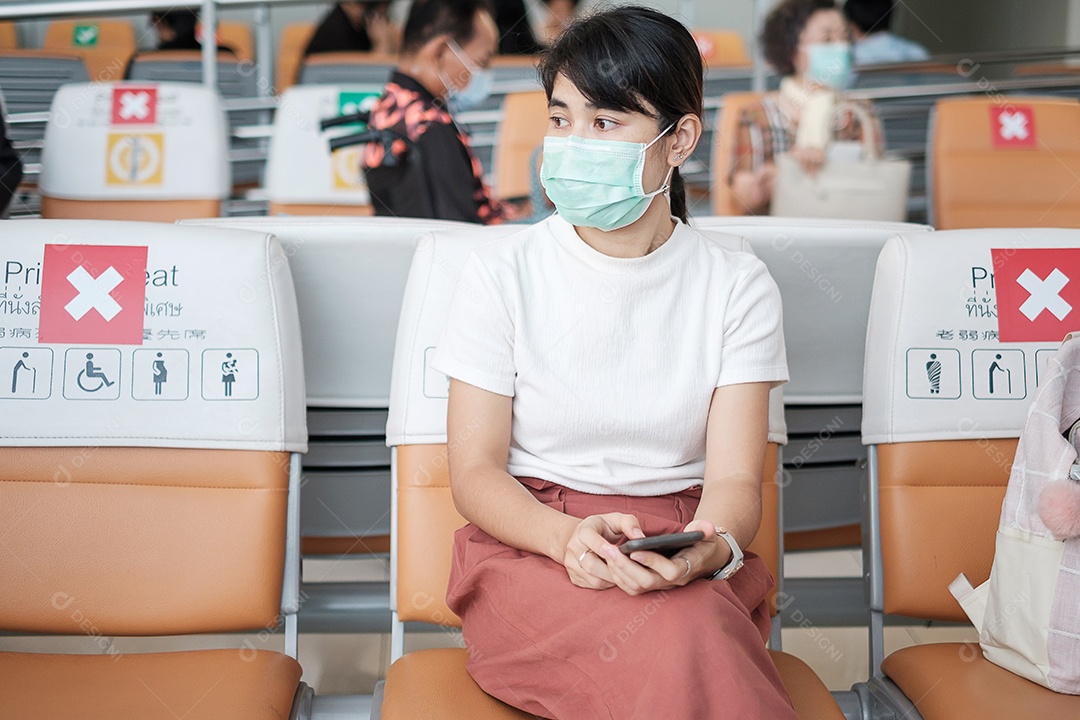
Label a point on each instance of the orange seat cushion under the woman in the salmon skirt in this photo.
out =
(435, 685)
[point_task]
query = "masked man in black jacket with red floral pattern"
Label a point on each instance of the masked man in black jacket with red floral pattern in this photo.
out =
(445, 53)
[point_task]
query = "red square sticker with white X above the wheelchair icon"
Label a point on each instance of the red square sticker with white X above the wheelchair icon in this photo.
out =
(93, 295)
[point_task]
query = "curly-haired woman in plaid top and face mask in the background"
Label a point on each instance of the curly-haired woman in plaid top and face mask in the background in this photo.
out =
(807, 43)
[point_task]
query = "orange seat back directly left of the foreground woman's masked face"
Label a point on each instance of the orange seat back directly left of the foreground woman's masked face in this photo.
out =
(521, 132)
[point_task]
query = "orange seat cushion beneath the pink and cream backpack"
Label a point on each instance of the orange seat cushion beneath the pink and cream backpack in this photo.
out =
(953, 682)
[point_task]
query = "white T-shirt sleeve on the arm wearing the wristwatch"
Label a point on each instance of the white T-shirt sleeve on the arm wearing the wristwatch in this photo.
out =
(753, 348)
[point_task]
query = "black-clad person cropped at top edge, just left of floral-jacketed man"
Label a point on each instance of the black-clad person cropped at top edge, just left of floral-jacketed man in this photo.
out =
(356, 26)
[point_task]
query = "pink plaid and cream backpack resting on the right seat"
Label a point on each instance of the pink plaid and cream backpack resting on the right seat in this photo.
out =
(1029, 612)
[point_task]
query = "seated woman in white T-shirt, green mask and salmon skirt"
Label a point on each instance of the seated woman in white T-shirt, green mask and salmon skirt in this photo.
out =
(611, 371)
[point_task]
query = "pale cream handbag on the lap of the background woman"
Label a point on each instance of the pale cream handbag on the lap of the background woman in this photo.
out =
(870, 188)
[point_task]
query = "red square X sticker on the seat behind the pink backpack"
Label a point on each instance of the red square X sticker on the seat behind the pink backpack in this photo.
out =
(1038, 294)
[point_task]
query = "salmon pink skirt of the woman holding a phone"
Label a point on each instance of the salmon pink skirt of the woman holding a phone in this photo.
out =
(556, 650)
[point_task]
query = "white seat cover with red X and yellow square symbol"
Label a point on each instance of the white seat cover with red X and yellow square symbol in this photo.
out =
(136, 141)
